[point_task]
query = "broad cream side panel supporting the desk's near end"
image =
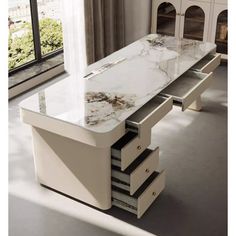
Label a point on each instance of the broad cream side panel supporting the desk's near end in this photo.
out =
(73, 168)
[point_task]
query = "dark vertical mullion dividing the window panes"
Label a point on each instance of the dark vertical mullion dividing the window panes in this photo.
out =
(35, 28)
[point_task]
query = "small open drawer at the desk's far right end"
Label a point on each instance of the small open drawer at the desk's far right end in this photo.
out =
(208, 64)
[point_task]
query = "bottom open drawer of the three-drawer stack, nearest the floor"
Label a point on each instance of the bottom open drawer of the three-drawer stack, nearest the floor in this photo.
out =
(143, 197)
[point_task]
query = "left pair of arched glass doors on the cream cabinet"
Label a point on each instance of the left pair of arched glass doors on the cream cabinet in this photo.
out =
(179, 18)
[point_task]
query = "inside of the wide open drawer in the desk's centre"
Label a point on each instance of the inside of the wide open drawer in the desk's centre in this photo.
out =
(185, 83)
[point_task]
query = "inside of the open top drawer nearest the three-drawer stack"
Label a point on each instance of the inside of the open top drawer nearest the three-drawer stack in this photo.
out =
(147, 109)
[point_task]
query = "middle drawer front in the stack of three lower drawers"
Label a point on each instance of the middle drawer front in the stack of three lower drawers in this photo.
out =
(144, 170)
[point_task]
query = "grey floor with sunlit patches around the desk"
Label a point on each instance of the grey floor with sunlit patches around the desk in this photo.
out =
(193, 148)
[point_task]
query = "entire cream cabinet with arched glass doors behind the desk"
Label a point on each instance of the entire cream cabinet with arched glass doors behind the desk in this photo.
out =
(204, 20)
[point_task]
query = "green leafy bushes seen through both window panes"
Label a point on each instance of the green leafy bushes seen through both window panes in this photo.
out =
(21, 49)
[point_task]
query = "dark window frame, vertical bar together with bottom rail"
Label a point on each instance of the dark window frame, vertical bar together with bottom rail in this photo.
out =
(36, 40)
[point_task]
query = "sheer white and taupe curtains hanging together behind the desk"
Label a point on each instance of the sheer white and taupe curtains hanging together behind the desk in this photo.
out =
(92, 29)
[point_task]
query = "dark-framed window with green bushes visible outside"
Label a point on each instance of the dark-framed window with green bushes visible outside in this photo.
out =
(35, 32)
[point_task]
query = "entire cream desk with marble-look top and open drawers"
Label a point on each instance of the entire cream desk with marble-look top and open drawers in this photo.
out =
(97, 147)
